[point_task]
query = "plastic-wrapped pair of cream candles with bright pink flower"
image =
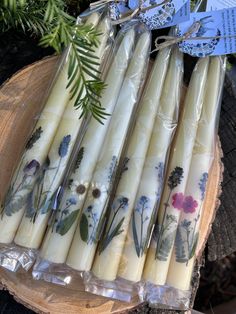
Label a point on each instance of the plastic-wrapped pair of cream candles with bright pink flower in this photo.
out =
(172, 254)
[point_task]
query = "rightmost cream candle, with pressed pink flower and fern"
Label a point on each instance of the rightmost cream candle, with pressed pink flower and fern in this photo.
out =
(183, 257)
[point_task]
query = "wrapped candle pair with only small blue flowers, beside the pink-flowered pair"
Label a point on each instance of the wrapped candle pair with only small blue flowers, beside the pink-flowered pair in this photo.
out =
(133, 209)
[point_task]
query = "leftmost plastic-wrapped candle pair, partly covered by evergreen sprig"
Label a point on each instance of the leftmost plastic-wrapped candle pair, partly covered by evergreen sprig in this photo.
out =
(34, 187)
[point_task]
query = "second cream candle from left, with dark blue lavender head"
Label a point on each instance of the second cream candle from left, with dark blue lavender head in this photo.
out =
(34, 222)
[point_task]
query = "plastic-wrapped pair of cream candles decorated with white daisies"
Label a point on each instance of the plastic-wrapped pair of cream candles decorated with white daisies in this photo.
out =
(89, 186)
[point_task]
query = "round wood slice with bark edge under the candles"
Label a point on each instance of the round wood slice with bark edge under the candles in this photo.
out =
(21, 99)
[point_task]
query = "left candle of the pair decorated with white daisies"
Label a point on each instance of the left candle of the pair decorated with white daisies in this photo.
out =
(57, 242)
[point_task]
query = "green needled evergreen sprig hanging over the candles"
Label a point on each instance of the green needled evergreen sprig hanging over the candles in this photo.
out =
(50, 20)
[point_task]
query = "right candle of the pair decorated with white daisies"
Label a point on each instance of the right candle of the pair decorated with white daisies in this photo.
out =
(84, 244)
